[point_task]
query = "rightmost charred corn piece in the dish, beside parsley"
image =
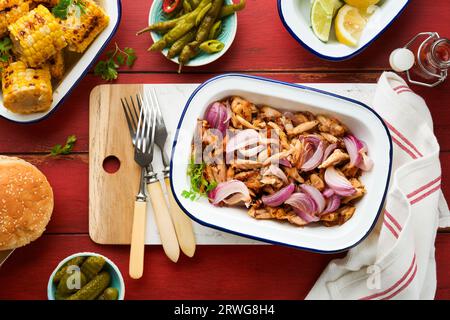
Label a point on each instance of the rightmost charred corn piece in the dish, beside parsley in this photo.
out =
(81, 29)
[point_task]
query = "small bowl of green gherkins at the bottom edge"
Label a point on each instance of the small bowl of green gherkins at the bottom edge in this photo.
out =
(86, 276)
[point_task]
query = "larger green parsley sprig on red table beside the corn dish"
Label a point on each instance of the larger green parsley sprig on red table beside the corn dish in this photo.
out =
(107, 69)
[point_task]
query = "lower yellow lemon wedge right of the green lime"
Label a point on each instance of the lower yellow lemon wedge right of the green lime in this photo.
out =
(349, 25)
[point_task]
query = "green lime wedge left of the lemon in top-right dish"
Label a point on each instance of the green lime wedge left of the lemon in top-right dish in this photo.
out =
(321, 18)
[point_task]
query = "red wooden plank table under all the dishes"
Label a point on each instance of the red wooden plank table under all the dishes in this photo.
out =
(262, 47)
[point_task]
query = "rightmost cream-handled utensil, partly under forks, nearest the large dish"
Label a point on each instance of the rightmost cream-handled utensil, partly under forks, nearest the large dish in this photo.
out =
(183, 225)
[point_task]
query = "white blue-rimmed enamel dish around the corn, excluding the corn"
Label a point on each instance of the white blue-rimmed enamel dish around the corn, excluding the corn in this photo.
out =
(78, 70)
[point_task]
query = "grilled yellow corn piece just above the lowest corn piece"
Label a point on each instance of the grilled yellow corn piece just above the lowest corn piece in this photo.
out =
(37, 36)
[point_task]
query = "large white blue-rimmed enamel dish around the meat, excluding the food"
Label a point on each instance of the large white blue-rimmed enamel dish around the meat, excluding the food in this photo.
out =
(362, 121)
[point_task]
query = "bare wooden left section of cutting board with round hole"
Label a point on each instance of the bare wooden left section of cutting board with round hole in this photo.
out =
(111, 196)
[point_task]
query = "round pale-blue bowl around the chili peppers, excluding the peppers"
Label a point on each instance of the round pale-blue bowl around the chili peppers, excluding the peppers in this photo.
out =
(227, 35)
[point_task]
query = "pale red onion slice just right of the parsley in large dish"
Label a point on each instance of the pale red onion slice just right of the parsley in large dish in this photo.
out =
(234, 188)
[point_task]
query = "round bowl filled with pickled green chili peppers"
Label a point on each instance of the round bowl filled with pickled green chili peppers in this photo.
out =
(193, 32)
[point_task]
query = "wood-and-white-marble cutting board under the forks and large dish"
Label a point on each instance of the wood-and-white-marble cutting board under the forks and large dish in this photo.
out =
(111, 196)
